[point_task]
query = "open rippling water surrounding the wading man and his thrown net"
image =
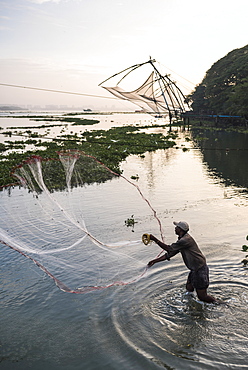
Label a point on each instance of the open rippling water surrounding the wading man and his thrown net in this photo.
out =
(151, 323)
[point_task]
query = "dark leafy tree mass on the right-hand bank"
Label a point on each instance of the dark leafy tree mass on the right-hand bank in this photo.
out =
(224, 89)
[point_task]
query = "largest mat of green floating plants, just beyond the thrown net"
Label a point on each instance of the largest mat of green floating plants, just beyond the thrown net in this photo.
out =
(110, 147)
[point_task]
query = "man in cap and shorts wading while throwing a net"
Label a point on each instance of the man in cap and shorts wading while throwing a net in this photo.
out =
(193, 258)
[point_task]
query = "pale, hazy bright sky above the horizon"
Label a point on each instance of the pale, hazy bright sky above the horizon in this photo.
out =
(73, 45)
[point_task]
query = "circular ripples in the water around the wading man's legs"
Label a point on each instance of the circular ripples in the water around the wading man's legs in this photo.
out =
(173, 329)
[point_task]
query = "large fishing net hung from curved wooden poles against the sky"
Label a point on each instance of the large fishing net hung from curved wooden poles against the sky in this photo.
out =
(158, 95)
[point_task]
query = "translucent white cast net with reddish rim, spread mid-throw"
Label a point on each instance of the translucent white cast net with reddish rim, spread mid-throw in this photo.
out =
(68, 217)
